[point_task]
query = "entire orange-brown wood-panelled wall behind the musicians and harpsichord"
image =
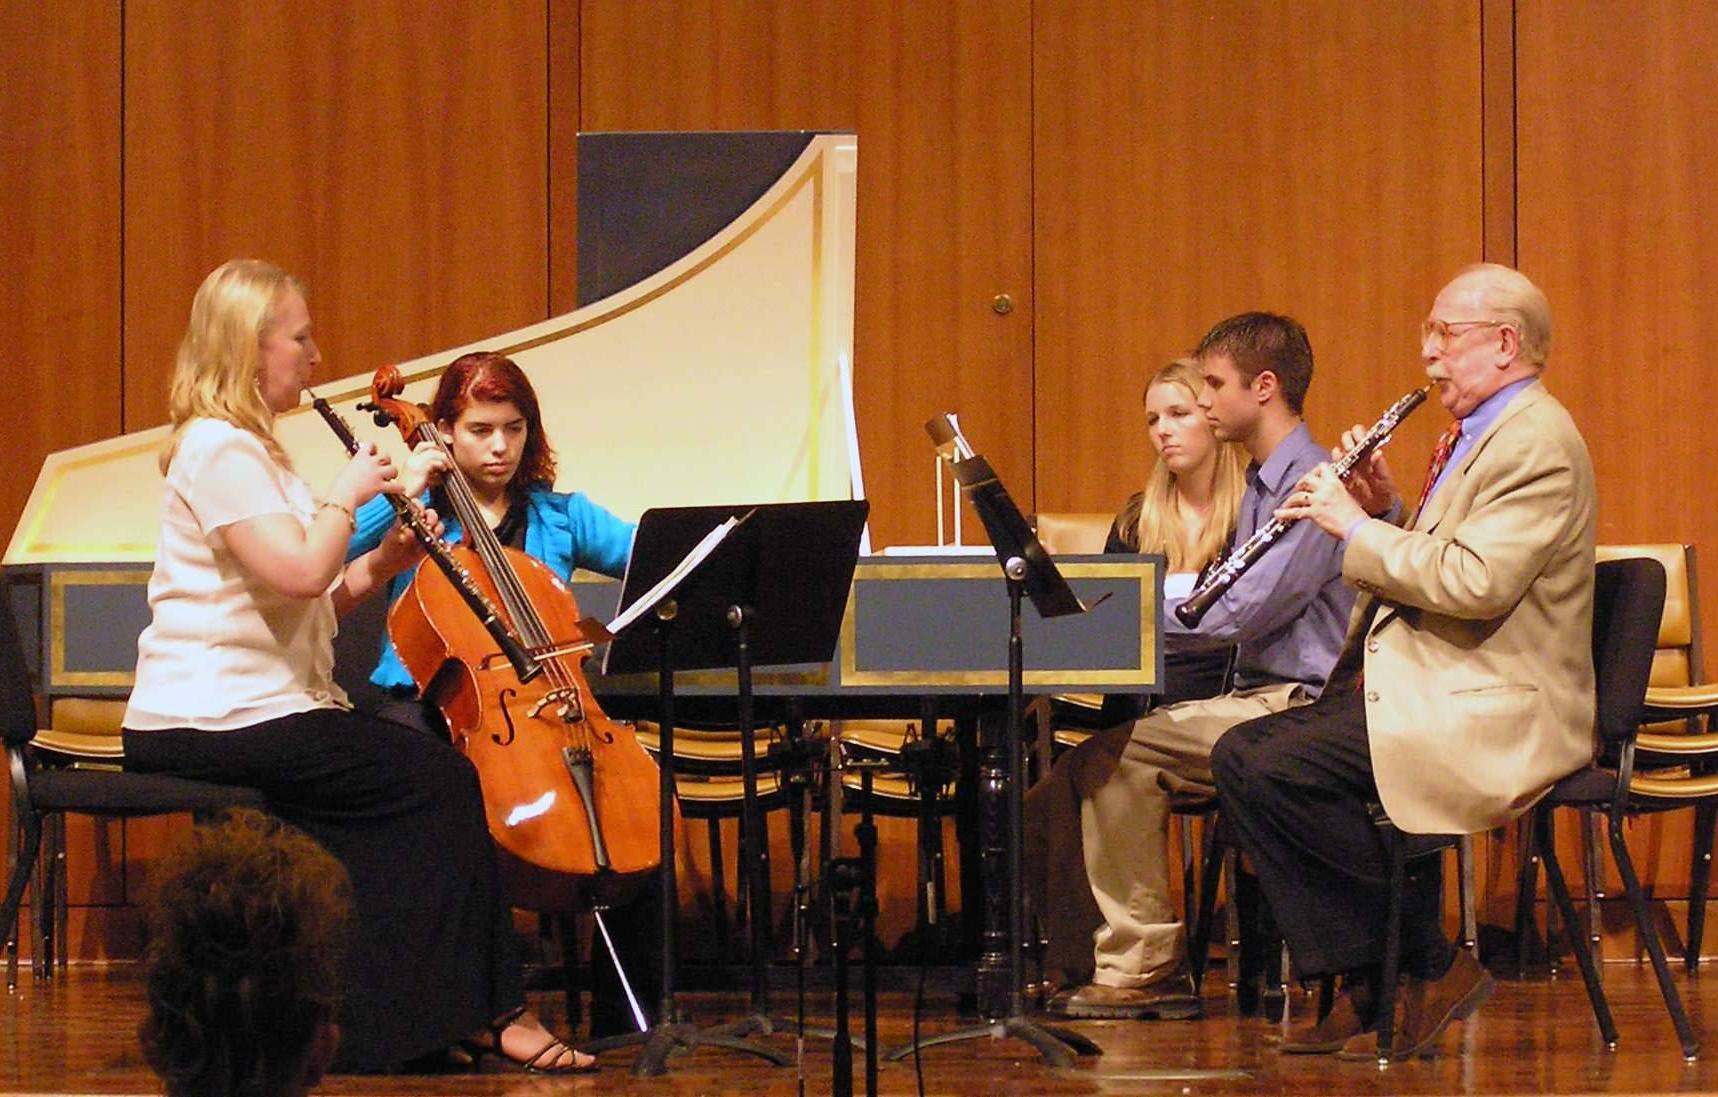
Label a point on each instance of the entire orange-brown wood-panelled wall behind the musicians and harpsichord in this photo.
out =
(1124, 173)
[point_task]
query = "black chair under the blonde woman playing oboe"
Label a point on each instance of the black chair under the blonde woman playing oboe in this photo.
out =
(44, 794)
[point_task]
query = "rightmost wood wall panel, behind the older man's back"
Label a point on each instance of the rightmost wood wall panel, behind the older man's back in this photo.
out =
(1616, 157)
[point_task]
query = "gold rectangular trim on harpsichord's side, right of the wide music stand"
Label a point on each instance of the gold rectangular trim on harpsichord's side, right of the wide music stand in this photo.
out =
(1143, 674)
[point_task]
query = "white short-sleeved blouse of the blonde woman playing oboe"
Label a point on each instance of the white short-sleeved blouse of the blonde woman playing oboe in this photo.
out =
(224, 650)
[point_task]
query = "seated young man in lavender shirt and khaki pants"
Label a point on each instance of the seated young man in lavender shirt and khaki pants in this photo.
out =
(1286, 617)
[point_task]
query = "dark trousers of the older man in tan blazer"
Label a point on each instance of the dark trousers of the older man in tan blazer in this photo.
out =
(1295, 789)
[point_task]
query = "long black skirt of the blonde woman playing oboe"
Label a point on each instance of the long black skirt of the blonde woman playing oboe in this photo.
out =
(434, 955)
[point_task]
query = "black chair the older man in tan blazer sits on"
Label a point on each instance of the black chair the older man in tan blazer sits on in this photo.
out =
(1628, 602)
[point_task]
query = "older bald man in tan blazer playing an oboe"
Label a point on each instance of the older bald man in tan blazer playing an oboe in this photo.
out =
(1466, 684)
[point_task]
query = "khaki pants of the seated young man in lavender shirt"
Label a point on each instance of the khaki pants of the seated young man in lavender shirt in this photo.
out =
(1124, 823)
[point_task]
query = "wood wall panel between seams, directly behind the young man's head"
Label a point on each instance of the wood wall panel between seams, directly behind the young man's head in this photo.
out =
(1202, 161)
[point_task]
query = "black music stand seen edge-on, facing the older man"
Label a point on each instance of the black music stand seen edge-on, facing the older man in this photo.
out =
(1030, 573)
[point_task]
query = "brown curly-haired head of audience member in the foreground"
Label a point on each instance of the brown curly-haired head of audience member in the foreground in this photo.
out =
(248, 924)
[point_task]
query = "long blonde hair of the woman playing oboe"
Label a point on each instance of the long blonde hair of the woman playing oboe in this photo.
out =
(216, 372)
